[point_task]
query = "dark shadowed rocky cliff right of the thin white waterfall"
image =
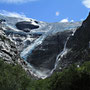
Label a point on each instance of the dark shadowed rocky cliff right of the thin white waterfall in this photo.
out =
(78, 46)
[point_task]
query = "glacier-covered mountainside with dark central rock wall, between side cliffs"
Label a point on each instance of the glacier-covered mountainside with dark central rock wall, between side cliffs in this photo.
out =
(34, 39)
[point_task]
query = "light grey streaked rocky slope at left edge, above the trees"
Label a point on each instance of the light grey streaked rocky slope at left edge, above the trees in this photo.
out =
(8, 50)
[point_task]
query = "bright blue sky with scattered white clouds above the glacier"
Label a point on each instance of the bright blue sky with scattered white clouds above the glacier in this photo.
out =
(47, 10)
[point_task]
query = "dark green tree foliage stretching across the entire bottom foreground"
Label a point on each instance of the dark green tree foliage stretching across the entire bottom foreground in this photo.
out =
(13, 77)
